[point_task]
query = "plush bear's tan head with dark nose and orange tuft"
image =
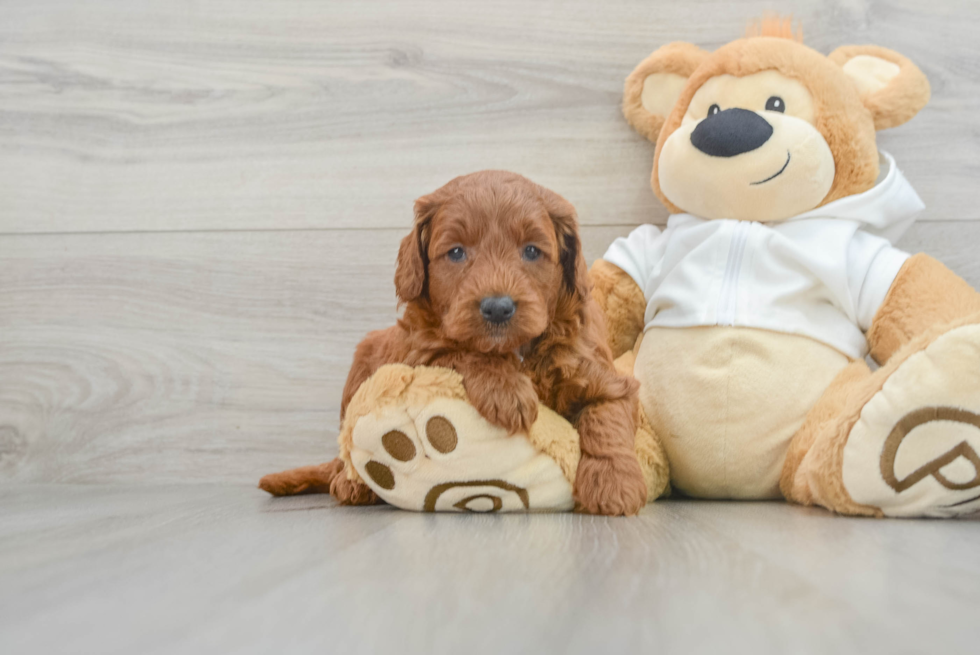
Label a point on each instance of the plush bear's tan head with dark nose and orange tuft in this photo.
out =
(765, 128)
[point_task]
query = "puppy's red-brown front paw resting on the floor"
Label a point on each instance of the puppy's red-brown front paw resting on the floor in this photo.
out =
(613, 486)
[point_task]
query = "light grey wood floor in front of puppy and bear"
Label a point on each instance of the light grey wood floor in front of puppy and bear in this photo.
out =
(225, 569)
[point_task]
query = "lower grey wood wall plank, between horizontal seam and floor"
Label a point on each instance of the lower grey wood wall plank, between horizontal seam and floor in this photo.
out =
(146, 358)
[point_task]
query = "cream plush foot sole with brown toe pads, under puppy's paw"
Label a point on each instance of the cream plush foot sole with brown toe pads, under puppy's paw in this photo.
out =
(443, 456)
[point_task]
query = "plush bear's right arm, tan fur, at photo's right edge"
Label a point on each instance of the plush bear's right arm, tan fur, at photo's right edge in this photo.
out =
(924, 295)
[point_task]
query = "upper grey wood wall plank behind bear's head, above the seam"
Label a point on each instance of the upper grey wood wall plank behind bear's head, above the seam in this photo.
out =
(123, 115)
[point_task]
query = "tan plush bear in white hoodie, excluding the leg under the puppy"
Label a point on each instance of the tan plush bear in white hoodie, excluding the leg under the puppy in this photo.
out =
(747, 320)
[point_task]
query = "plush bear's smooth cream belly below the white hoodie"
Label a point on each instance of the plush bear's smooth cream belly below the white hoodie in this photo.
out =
(726, 402)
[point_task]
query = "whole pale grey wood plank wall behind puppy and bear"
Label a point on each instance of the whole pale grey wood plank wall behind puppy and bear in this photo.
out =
(200, 203)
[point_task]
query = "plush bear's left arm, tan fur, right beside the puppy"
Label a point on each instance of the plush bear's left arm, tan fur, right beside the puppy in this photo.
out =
(622, 304)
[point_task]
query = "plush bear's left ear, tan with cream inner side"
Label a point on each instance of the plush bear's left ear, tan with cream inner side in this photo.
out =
(652, 89)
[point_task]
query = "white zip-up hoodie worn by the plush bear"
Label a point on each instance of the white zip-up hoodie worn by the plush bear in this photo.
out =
(822, 274)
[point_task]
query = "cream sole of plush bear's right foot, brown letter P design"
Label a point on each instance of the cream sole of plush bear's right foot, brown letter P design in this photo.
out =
(915, 450)
